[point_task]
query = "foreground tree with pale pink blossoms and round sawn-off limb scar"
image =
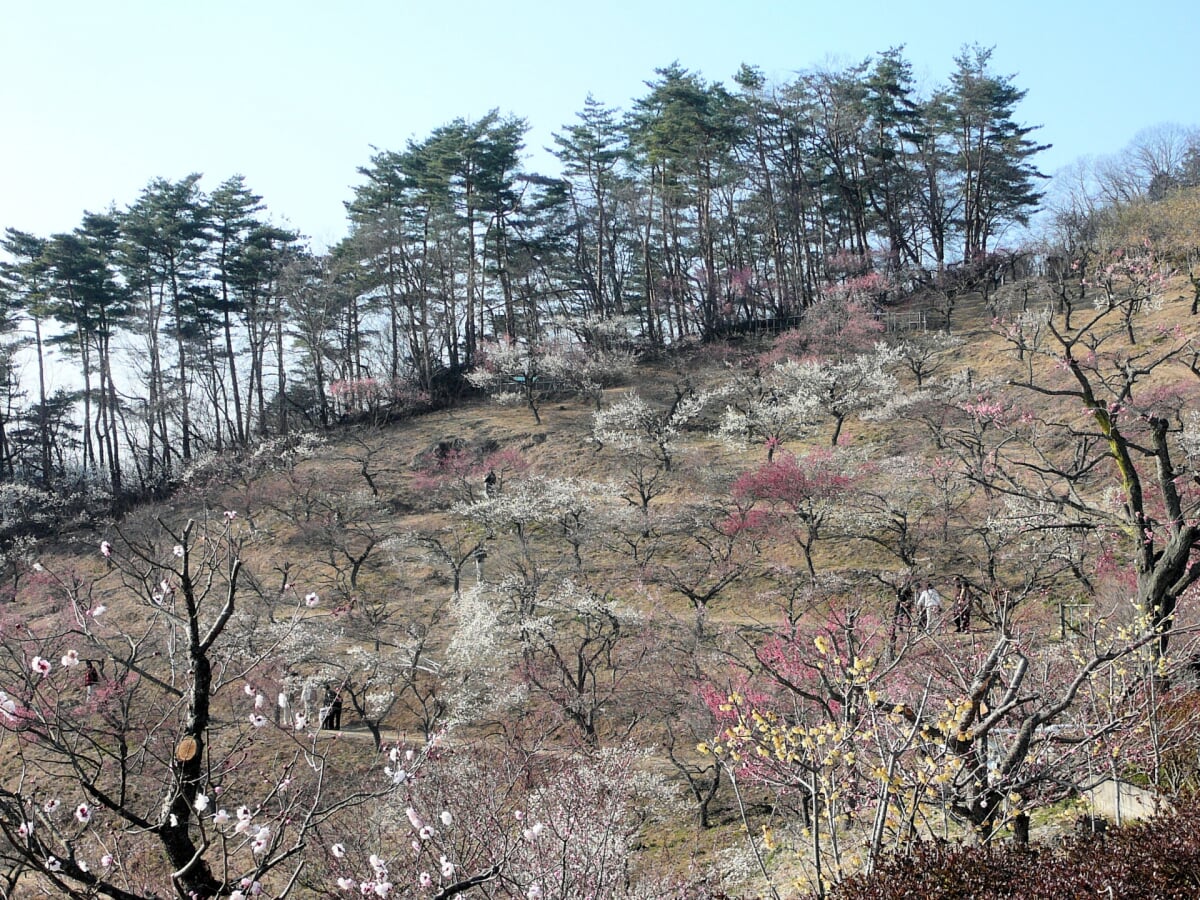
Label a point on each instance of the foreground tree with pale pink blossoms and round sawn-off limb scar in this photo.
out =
(130, 731)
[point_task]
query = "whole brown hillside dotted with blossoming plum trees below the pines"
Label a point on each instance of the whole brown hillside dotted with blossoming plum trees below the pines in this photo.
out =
(680, 629)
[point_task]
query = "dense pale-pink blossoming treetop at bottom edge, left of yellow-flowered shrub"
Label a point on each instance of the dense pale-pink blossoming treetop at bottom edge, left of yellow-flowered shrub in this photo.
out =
(499, 823)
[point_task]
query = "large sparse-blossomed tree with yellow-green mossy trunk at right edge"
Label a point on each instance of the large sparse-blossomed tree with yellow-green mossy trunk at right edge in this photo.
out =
(1113, 448)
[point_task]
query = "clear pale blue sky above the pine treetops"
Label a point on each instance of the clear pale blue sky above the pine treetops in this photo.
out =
(99, 98)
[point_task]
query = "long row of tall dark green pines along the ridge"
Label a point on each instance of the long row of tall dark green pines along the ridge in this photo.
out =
(199, 326)
